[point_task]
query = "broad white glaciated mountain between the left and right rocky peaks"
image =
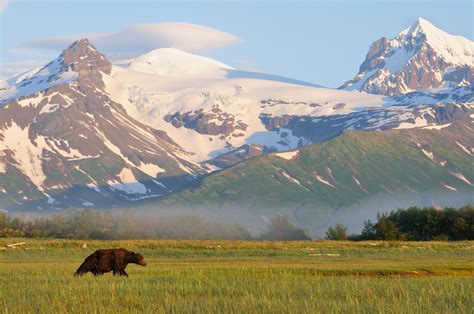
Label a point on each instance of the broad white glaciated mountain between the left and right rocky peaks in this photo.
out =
(214, 115)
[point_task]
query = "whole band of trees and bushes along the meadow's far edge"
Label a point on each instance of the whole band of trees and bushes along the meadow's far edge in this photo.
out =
(411, 224)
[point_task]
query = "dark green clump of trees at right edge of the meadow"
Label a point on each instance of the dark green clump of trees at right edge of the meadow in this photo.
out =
(414, 224)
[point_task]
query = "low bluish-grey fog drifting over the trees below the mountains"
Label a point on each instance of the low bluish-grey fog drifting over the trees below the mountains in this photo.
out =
(226, 221)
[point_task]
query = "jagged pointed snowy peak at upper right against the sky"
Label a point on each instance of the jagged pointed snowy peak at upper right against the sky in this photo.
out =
(420, 57)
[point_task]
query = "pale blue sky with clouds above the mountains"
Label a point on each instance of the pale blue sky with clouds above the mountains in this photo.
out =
(322, 42)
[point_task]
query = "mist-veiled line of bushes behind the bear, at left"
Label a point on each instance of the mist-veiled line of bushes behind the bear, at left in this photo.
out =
(88, 224)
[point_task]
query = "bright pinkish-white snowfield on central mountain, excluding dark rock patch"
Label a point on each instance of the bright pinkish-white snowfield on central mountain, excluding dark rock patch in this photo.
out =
(150, 97)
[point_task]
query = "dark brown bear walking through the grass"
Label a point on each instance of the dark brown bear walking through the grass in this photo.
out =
(104, 261)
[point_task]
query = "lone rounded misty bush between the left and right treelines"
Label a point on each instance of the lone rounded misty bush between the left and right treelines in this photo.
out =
(281, 229)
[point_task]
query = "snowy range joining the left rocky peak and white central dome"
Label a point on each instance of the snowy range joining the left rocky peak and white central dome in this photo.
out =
(83, 132)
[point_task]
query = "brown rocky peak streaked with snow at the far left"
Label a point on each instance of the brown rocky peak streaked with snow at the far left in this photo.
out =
(70, 144)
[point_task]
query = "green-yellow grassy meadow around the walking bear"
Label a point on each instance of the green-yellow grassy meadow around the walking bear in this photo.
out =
(234, 276)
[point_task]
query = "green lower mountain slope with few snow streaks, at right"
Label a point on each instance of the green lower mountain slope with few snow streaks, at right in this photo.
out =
(318, 181)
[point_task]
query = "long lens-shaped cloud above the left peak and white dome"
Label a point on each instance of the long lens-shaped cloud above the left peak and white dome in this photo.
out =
(144, 37)
